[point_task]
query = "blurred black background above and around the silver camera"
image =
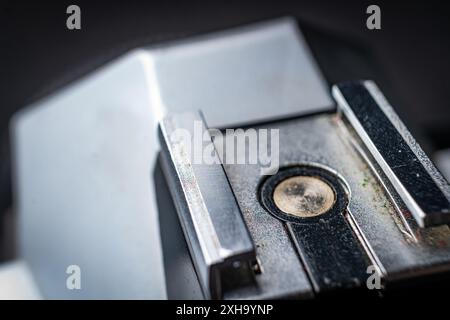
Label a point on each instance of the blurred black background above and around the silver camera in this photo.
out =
(409, 58)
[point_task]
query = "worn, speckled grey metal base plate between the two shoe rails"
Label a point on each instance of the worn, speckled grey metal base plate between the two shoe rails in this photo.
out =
(393, 242)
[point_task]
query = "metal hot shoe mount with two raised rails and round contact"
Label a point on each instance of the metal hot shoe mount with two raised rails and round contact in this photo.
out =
(354, 205)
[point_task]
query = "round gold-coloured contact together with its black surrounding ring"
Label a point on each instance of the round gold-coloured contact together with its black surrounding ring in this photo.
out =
(303, 193)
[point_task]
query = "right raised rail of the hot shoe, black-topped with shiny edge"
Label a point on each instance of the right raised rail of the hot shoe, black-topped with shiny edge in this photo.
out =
(414, 177)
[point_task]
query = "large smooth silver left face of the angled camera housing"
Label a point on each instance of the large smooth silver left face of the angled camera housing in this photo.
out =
(83, 193)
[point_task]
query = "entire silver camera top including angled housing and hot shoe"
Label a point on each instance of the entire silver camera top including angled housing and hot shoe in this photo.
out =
(137, 178)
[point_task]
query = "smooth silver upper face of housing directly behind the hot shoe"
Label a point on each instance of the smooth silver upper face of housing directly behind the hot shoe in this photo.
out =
(259, 72)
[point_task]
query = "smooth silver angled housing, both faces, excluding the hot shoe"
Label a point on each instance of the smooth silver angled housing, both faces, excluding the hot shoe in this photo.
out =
(83, 157)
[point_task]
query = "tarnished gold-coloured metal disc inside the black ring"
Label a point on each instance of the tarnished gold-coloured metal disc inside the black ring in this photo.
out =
(304, 196)
